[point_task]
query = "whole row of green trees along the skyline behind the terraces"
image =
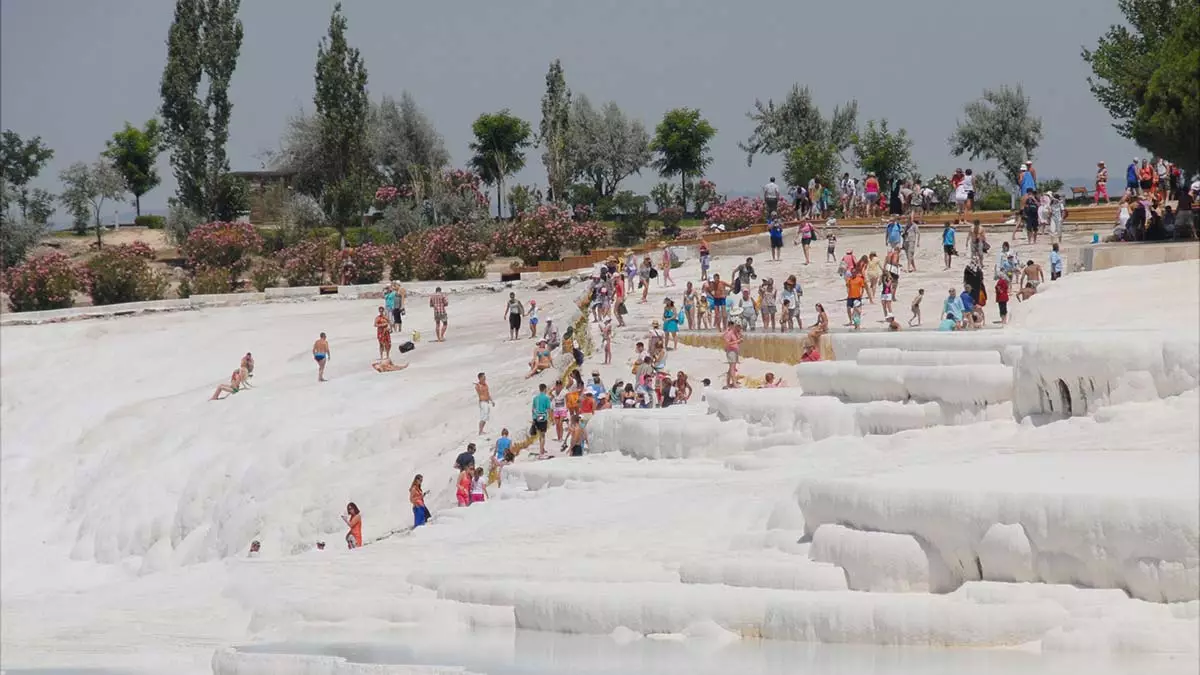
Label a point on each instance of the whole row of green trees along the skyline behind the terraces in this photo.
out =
(1144, 73)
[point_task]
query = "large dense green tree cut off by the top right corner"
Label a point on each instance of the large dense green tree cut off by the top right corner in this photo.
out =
(1145, 75)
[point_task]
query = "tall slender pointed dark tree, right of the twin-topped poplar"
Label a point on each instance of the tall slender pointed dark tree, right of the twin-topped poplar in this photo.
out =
(343, 114)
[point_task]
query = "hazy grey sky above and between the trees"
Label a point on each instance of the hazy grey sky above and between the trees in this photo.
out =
(73, 71)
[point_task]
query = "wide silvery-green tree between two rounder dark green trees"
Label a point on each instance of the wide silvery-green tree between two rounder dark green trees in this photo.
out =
(797, 123)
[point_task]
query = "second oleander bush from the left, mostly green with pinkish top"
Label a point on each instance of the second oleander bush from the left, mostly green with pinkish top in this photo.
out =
(123, 274)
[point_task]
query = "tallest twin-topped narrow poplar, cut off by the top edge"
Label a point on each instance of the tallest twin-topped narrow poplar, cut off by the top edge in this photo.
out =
(202, 46)
